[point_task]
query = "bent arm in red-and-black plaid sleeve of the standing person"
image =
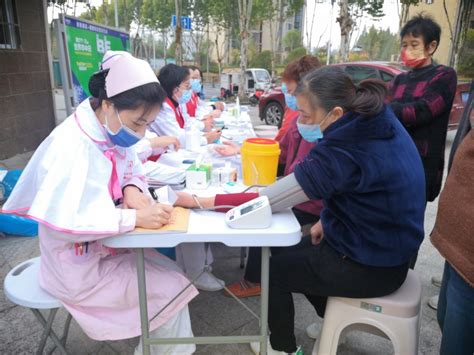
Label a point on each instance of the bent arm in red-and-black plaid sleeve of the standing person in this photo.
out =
(437, 98)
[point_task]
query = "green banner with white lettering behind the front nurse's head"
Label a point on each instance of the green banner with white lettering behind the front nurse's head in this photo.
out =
(87, 44)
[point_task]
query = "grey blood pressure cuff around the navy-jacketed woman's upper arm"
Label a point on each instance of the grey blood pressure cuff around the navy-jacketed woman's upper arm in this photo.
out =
(284, 193)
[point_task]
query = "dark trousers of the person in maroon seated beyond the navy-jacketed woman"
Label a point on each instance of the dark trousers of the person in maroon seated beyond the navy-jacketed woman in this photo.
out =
(254, 258)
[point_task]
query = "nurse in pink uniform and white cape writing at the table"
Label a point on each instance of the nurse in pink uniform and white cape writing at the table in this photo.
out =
(85, 183)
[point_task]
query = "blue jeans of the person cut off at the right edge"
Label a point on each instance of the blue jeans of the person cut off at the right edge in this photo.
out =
(456, 314)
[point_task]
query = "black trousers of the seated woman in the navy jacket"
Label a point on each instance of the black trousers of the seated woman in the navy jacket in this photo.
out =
(319, 271)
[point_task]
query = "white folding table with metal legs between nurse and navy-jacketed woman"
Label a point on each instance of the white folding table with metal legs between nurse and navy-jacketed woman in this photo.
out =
(206, 226)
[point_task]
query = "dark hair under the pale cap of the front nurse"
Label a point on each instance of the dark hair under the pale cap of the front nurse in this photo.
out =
(148, 96)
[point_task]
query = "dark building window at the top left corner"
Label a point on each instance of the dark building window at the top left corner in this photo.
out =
(9, 27)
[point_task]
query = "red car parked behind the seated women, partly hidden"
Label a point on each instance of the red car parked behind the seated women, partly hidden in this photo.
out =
(272, 103)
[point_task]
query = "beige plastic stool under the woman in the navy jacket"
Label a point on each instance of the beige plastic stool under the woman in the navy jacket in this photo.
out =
(395, 317)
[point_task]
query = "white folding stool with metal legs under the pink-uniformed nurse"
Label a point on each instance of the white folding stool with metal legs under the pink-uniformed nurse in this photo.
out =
(22, 288)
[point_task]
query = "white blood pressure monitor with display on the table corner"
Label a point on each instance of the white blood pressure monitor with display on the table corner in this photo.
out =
(254, 214)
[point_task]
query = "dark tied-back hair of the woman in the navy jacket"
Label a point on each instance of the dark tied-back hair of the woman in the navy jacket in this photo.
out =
(329, 87)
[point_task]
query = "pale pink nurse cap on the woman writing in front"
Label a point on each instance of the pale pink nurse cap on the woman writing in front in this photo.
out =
(125, 72)
